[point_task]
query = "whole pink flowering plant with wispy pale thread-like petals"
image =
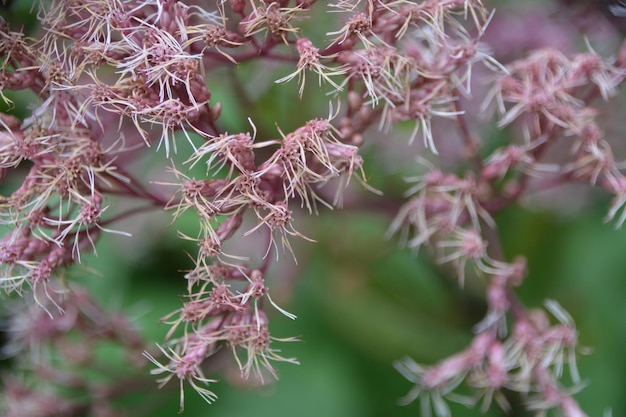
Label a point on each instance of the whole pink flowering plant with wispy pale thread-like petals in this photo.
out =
(117, 79)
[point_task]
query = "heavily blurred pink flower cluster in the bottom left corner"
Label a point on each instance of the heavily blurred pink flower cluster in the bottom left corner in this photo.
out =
(63, 342)
